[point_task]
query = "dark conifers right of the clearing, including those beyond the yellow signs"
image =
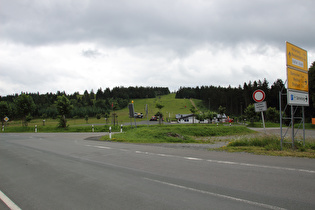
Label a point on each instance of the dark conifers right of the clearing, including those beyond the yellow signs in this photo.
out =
(238, 101)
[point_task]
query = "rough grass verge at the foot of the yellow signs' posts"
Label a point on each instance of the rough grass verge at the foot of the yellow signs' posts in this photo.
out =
(269, 145)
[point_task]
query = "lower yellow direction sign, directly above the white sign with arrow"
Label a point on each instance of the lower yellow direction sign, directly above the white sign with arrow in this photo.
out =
(297, 80)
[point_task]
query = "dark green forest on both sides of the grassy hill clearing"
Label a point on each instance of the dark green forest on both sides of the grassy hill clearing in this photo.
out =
(235, 100)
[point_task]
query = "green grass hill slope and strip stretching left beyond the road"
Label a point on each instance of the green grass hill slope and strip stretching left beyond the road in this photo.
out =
(171, 107)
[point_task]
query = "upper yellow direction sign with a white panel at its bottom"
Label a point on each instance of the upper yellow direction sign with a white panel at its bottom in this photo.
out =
(296, 57)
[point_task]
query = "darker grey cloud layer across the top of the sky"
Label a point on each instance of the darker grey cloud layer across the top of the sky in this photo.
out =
(177, 25)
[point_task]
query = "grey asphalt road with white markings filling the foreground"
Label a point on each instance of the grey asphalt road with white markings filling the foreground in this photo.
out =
(73, 171)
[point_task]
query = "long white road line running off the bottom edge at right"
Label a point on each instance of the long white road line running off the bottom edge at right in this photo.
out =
(219, 195)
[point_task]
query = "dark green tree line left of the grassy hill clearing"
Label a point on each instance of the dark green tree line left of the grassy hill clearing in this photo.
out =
(28, 105)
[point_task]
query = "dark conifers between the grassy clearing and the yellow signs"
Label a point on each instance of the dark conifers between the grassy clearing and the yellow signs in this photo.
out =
(235, 100)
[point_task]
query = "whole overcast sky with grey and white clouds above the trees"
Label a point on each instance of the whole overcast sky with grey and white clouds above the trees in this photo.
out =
(77, 45)
